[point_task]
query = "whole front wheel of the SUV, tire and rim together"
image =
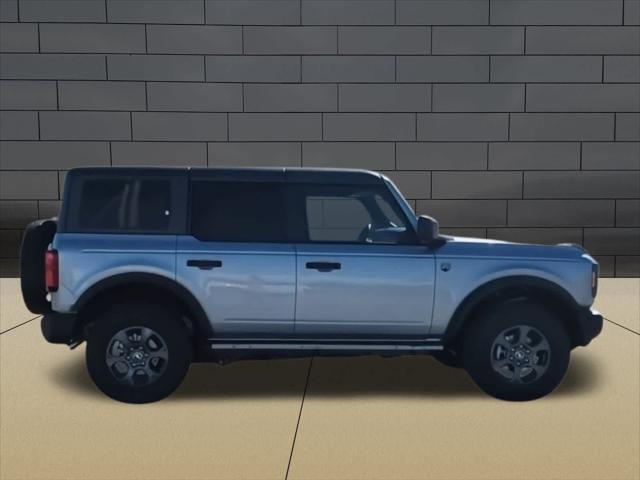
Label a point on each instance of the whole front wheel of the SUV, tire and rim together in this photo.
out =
(517, 351)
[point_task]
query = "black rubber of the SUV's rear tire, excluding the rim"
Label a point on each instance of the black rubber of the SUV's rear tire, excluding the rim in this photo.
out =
(166, 323)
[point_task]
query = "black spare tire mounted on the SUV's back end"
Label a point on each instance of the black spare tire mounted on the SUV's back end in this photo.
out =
(37, 237)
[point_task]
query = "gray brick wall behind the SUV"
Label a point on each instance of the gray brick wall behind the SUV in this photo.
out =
(513, 119)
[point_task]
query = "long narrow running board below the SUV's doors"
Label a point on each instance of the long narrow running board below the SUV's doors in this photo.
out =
(217, 345)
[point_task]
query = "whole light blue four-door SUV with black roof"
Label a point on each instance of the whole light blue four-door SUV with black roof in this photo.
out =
(156, 268)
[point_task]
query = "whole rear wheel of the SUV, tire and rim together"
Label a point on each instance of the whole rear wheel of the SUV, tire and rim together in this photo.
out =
(138, 352)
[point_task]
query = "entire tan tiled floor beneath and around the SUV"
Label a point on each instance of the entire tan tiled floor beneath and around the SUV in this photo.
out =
(362, 418)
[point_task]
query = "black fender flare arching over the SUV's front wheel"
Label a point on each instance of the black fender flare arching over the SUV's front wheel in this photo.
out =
(504, 284)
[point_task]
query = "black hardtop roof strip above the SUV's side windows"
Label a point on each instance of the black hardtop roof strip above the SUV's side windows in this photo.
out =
(254, 174)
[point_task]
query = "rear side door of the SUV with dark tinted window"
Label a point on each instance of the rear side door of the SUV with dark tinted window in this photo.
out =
(235, 259)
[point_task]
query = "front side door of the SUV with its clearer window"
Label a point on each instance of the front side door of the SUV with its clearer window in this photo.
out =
(361, 271)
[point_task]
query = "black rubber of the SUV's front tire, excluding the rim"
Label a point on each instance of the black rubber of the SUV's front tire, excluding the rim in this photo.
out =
(486, 328)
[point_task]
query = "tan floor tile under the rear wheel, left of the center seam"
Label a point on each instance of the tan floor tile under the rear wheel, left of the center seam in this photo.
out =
(224, 423)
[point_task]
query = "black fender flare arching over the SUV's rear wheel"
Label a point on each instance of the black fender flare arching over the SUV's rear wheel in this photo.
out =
(156, 281)
